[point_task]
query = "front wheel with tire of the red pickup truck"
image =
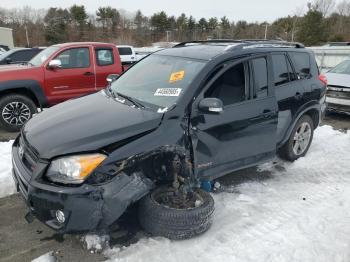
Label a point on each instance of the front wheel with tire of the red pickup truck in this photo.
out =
(15, 111)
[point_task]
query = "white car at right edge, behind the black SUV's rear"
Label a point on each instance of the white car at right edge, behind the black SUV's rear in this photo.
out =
(338, 90)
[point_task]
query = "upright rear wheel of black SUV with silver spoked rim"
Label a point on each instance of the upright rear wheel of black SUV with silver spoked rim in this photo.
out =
(288, 151)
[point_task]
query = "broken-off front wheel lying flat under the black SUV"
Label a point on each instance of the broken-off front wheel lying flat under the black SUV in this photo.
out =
(163, 213)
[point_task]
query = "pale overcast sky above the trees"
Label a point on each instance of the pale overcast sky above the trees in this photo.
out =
(250, 10)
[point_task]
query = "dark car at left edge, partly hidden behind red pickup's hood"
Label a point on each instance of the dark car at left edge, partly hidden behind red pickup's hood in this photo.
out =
(19, 55)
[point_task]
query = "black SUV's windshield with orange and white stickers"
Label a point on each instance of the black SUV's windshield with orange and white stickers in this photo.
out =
(158, 80)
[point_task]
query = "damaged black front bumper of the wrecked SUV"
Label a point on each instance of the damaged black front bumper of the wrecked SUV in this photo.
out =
(86, 208)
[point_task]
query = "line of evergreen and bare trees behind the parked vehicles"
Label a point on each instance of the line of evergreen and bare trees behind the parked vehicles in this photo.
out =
(324, 21)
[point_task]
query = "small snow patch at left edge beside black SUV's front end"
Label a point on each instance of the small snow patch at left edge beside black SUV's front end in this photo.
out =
(7, 185)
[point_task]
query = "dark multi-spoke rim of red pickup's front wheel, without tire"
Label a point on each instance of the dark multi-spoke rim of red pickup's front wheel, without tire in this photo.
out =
(16, 113)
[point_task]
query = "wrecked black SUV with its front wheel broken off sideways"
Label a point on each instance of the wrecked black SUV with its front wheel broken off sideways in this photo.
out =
(175, 121)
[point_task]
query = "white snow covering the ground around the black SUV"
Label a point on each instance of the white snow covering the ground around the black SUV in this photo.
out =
(289, 212)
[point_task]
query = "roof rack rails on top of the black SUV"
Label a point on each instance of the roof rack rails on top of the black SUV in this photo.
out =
(245, 43)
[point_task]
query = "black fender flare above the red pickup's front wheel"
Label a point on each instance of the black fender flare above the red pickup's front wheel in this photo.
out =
(32, 86)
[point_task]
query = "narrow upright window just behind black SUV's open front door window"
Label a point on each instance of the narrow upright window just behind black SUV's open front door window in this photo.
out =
(260, 77)
